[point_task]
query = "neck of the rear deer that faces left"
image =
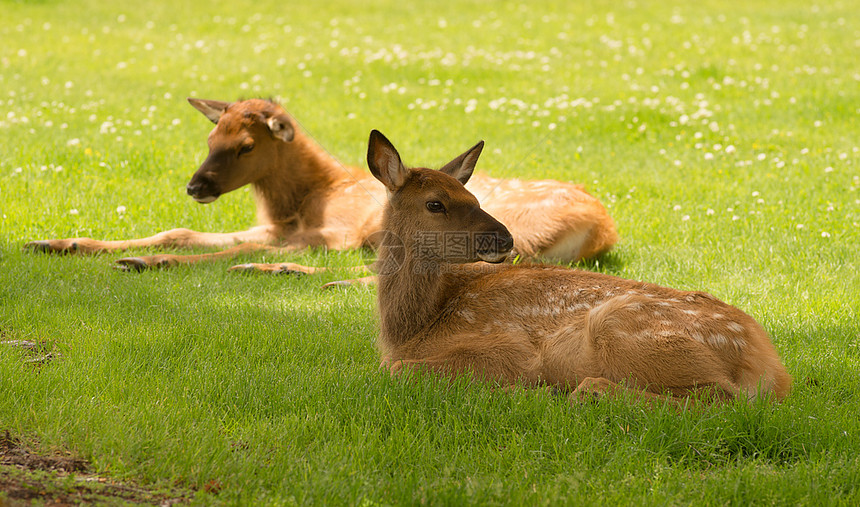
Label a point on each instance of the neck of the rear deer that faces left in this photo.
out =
(302, 171)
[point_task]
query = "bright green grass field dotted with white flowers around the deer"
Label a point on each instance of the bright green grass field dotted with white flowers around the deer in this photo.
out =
(723, 137)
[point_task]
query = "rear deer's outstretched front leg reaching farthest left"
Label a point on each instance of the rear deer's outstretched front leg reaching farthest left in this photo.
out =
(174, 238)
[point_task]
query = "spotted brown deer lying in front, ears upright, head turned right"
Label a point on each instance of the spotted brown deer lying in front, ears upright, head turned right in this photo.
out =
(446, 306)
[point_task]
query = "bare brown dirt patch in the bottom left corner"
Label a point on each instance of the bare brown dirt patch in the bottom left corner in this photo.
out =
(60, 479)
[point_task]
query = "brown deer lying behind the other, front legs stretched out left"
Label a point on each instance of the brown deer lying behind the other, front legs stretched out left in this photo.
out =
(306, 198)
